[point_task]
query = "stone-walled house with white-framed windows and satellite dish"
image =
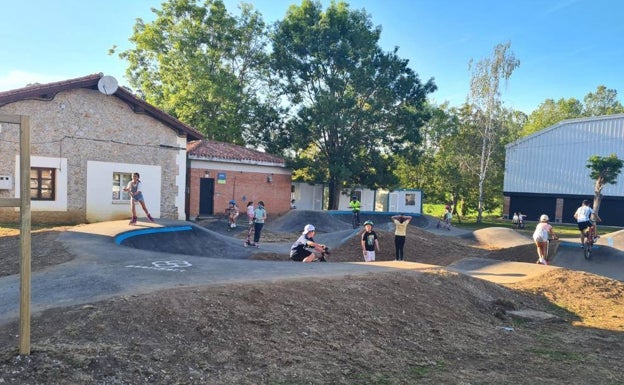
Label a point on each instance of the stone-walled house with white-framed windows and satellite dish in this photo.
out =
(85, 144)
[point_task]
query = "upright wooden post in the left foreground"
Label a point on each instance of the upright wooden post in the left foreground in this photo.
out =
(25, 238)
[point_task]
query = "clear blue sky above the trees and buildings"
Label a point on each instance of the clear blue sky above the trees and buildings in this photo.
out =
(566, 47)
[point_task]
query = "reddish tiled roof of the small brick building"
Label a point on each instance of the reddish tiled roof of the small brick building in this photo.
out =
(228, 152)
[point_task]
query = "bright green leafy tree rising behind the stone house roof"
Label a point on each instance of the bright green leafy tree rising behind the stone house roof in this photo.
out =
(204, 66)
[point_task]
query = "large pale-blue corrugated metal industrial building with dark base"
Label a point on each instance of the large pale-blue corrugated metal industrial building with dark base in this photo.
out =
(546, 173)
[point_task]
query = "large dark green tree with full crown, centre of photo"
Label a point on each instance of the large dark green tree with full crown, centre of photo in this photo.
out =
(353, 105)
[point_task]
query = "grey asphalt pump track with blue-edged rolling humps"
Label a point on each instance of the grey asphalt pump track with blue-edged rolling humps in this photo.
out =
(115, 259)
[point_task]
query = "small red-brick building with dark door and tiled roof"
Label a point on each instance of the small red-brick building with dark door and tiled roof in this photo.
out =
(219, 172)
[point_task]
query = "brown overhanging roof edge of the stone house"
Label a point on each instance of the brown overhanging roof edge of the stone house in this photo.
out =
(48, 92)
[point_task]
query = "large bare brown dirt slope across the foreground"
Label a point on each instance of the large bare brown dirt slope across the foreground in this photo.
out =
(391, 328)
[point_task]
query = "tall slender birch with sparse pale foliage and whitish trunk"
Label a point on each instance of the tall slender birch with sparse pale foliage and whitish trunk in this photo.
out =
(485, 96)
